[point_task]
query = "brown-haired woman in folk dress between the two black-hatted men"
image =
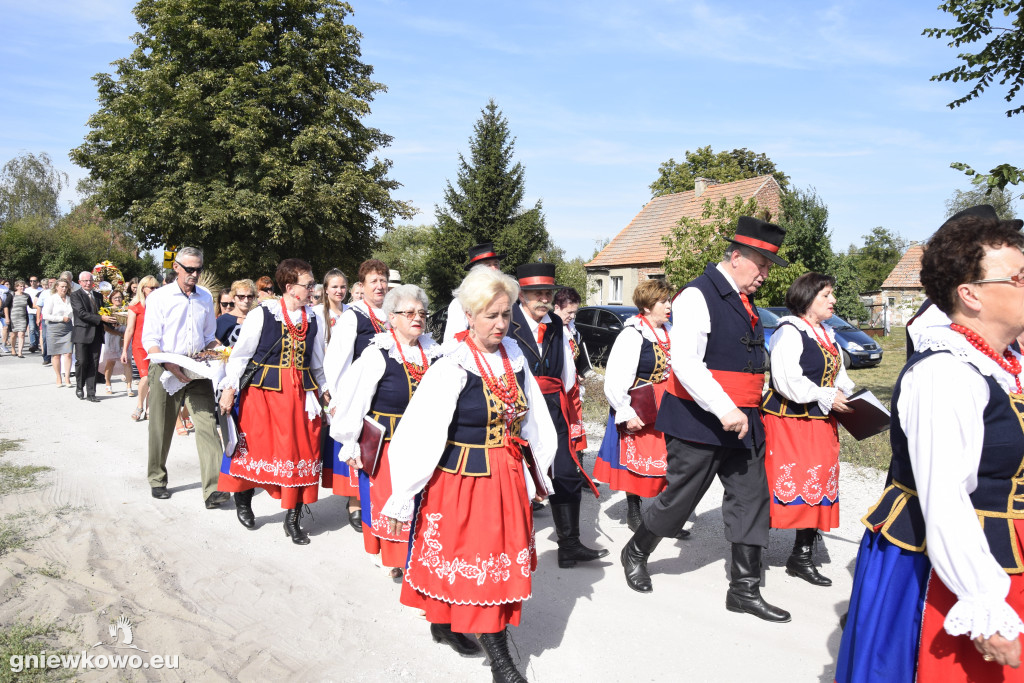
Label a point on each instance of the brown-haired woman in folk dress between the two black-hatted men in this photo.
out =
(632, 457)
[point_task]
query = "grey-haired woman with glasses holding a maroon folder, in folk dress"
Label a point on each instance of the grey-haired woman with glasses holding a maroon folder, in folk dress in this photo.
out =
(381, 383)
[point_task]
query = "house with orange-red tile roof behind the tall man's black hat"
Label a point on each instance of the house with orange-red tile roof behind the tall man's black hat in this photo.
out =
(637, 253)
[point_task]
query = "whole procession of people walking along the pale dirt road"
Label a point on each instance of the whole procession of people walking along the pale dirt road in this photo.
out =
(446, 451)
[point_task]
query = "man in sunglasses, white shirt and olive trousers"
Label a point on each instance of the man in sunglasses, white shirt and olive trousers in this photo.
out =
(180, 319)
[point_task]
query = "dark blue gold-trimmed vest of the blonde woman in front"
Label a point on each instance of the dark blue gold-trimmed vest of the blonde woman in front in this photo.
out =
(477, 426)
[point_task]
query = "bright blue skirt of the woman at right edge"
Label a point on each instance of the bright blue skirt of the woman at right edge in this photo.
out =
(883, 629)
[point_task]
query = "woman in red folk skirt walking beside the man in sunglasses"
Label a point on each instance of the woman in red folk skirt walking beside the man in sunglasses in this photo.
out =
(279, 413)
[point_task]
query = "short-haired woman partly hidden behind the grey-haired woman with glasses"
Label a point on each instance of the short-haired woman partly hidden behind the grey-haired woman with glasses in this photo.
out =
(350, 338)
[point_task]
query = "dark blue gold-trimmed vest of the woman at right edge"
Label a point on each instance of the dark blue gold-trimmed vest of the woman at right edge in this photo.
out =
(998, 500)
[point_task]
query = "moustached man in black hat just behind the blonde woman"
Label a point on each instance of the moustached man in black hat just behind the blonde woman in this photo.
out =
(539, 333)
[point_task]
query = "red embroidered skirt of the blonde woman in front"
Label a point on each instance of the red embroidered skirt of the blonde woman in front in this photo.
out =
(474, 548)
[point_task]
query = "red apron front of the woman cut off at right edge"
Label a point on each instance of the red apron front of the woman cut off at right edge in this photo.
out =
(955, 659)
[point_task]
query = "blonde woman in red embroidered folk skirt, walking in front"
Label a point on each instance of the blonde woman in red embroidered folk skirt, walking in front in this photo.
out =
(461, 452)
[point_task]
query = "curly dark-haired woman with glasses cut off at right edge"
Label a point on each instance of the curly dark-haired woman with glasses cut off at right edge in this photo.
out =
(938, 592)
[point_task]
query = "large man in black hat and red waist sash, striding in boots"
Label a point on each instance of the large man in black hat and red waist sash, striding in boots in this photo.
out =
(710, 417)
